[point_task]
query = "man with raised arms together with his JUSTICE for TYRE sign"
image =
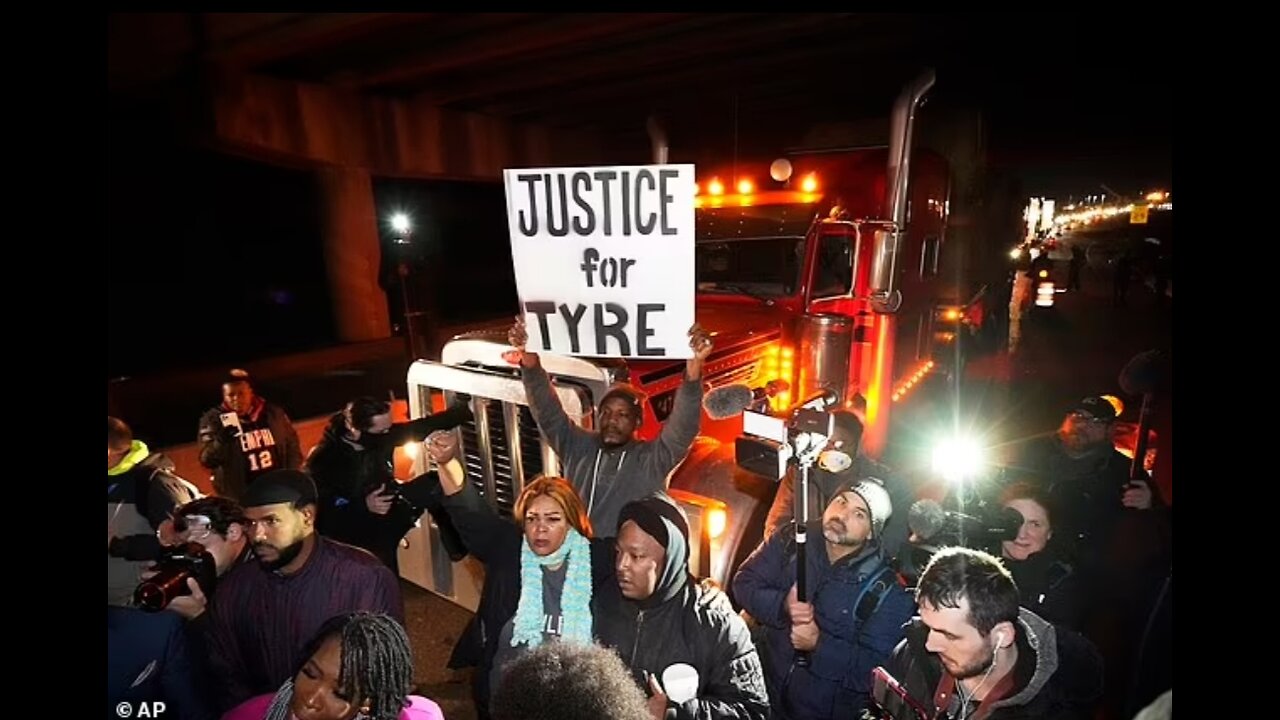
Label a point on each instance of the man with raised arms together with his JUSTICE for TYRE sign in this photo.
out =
(605, 267)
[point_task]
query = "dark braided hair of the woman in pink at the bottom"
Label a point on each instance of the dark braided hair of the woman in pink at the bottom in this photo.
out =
(377, 663)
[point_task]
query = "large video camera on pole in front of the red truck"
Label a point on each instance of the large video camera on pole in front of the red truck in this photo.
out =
(770, 444)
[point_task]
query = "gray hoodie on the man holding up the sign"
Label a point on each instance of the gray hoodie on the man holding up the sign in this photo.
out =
(607, 479)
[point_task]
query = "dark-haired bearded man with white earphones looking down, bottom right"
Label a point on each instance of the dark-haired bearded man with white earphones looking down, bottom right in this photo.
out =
(975, 654)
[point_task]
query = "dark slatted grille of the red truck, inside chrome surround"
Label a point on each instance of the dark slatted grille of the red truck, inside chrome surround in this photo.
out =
(500, 475)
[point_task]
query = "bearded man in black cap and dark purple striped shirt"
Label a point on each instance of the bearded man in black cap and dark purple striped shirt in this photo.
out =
(267, 612)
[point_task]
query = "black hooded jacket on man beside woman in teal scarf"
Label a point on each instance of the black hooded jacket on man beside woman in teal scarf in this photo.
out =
(684, 622)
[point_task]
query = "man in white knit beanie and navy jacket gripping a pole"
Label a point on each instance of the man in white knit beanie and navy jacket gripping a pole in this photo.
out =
(852, 619)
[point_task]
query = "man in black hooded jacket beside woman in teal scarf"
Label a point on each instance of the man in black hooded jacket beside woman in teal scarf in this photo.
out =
(683, 641)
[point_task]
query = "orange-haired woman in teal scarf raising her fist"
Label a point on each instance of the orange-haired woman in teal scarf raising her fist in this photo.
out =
(541, 572)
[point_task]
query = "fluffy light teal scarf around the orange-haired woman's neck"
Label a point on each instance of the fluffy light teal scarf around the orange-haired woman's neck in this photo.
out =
(575, 601)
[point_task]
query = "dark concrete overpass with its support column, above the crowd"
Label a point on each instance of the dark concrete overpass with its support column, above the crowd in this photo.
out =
(353, 97)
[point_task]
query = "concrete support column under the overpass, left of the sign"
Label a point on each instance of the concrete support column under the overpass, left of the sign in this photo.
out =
(353, 254)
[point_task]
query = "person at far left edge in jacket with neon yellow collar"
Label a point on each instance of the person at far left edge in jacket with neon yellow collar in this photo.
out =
(141, 491)
